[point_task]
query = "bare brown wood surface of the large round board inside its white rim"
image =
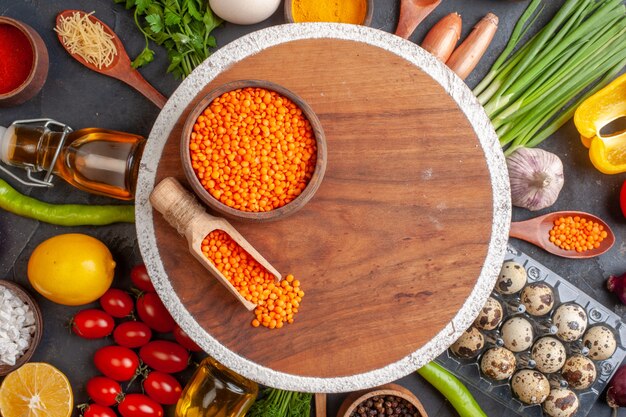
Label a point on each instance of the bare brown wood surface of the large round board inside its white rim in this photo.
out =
(392, 243)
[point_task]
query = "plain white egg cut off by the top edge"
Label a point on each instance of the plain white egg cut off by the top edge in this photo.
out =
(244, 12)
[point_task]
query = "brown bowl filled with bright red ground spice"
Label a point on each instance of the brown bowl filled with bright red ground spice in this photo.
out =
(23, 62)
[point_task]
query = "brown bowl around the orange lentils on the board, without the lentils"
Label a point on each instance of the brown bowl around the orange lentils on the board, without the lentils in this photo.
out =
(229, 212)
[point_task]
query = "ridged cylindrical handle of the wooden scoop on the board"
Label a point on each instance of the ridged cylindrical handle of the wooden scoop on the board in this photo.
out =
(176, 204)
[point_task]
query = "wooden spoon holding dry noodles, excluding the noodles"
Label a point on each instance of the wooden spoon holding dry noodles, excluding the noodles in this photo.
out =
(120, 68)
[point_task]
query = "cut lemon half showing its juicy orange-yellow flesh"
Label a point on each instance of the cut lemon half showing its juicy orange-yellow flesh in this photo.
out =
(36, 390)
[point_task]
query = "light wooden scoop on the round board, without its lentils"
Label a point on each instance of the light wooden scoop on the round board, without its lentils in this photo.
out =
(182, 211)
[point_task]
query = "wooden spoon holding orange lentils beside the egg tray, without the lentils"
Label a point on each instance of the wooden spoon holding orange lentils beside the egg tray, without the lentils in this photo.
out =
(537, 232)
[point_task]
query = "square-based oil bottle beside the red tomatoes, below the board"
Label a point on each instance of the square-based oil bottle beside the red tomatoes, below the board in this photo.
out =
(216, 391)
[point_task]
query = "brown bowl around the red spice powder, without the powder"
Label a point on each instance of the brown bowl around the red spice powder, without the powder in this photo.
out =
(39, 71)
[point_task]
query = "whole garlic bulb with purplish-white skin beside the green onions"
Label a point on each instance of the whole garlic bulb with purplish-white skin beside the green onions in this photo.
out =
(536, 178)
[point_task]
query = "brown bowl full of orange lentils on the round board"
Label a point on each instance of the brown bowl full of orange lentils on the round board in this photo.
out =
(253, 150)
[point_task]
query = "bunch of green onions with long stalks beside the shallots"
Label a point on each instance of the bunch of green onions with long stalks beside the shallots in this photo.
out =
(533, 89)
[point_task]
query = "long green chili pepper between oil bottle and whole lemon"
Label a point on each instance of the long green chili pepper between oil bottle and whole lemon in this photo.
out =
(63, 214)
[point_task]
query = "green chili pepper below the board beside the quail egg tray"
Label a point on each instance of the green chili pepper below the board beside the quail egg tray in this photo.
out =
(451, 388)
